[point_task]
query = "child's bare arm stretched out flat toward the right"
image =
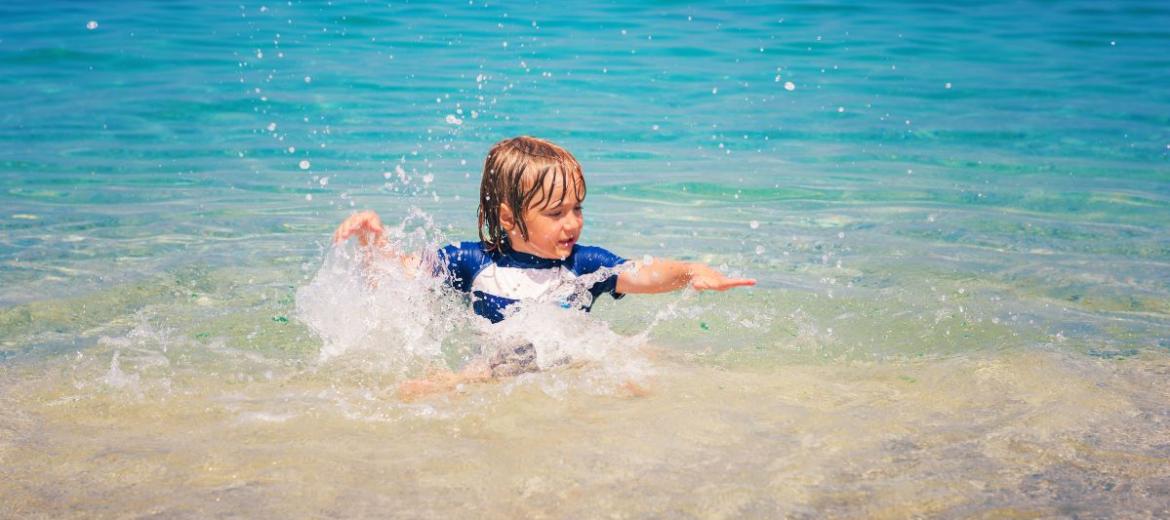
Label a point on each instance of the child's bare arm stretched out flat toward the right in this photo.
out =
(663, 276)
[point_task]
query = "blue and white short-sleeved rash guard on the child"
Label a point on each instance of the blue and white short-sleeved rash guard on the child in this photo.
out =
(497, 280)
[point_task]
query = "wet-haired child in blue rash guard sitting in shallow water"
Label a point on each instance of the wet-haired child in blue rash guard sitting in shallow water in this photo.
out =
(529, 222)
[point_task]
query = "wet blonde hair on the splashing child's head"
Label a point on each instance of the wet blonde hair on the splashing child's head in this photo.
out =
(517, 174)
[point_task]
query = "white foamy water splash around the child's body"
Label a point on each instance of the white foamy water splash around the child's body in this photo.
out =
(389, 313)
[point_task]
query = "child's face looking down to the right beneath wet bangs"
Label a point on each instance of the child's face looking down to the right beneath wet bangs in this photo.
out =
(553, 229)
